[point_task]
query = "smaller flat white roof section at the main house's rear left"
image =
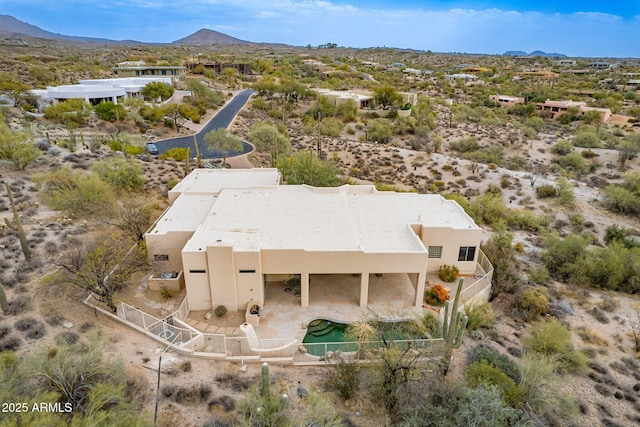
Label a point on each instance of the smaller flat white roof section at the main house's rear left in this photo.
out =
(212, 181)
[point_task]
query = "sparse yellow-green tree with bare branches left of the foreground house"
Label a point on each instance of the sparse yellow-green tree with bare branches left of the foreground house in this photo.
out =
(102, 265)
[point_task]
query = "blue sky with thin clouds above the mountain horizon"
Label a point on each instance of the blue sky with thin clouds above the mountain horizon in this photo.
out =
(593, 28)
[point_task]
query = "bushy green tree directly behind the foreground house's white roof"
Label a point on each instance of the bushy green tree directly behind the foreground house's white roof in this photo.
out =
(303, 167)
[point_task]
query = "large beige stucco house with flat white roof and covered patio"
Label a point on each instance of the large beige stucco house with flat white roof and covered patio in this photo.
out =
(233, 232)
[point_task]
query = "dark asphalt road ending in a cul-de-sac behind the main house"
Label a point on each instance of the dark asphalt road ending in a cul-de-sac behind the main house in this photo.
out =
(222, 119)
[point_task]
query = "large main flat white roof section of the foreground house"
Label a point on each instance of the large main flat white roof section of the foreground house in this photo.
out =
(325, 219)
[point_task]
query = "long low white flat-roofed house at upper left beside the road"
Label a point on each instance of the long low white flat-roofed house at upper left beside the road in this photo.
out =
(97, 90)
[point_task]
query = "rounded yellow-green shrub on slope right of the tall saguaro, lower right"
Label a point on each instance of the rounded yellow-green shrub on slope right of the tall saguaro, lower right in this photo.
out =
(552, 338)
